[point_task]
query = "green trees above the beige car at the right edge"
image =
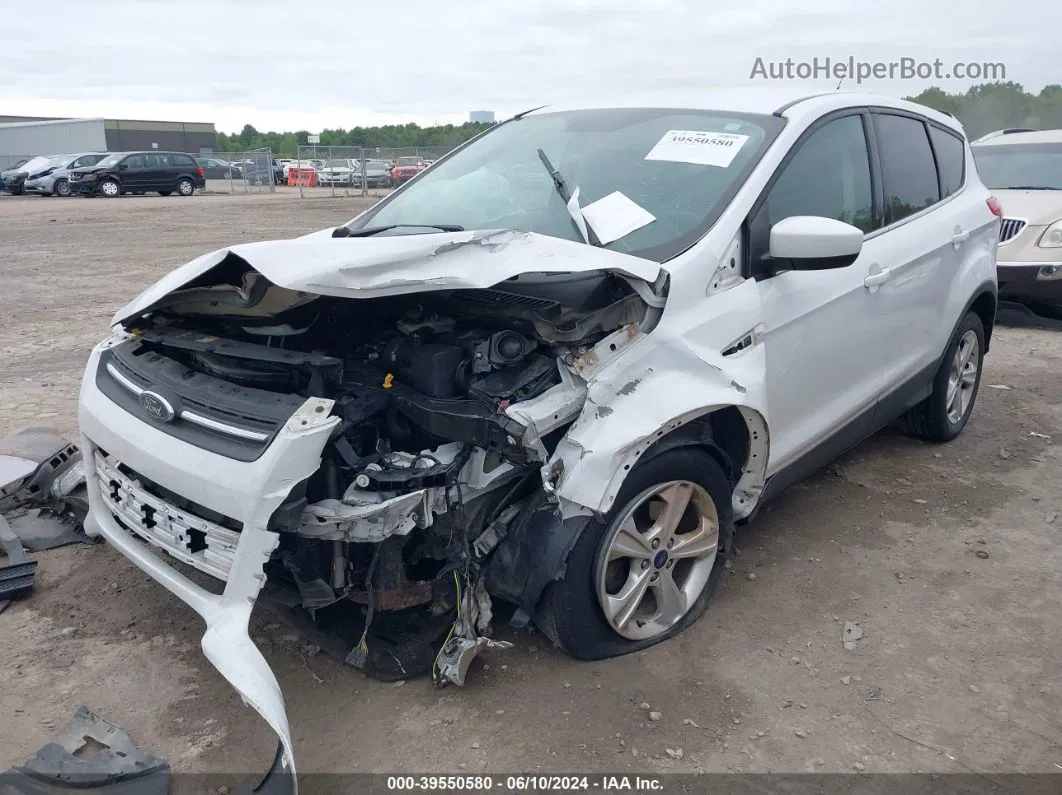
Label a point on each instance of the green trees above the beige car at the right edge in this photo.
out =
(992, 107)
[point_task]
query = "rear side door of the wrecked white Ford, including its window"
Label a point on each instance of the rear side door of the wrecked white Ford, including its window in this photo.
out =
(917, 239)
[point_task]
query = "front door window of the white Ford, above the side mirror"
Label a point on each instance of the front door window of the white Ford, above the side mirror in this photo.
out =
(829, 177)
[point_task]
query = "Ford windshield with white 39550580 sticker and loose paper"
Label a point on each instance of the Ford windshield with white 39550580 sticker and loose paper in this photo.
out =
(680, 166)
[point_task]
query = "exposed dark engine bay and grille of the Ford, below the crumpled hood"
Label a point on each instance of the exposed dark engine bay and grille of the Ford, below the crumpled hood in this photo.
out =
(389, 554)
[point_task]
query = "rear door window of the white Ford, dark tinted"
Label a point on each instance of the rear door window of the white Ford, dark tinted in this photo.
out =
(909, 169)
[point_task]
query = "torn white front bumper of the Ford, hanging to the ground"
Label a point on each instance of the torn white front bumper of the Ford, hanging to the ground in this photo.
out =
(248, 493)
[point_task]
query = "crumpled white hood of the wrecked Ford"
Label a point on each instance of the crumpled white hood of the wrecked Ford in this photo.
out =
(369, 268)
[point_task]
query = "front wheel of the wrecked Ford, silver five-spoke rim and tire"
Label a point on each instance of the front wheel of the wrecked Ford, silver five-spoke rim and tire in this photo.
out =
(649, 569)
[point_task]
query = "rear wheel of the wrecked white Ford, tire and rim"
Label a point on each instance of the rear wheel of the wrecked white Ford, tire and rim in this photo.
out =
(943, 417)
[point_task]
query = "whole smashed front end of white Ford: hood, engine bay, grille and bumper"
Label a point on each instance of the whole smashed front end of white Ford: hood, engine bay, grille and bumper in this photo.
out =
(366, 440)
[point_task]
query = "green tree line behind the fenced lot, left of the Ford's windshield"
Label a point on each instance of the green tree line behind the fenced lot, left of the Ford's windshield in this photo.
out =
(391, 136)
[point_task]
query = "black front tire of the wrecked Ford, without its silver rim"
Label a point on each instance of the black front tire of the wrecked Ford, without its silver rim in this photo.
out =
(570, 613)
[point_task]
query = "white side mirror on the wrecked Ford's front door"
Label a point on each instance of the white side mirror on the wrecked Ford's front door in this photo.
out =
(815, 244)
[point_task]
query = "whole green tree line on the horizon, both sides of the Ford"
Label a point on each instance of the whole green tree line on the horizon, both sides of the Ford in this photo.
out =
(982, 109)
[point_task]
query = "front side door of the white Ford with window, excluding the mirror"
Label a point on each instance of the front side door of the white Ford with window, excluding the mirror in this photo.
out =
(825, 352)
